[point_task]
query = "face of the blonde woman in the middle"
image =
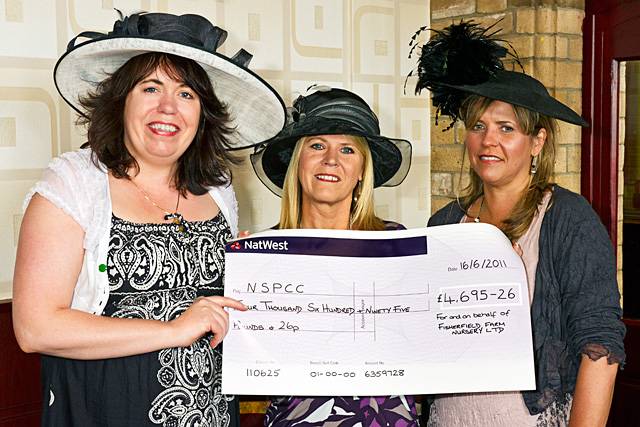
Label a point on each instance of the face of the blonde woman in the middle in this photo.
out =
(329, 169)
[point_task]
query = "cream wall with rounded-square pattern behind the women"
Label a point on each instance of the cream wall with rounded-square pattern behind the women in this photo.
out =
(360, 45)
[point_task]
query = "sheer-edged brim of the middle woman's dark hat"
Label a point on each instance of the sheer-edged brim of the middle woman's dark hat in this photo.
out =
(391, 157)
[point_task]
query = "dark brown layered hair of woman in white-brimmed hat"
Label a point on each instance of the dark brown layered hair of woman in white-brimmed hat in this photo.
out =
(204, 164)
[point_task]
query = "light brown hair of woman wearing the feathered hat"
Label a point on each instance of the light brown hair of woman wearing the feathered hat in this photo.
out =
(530, 122)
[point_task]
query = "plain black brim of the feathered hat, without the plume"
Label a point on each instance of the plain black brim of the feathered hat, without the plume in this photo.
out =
(522, 90)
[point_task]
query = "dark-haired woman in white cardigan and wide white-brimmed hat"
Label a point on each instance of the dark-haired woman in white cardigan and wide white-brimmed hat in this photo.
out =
(118, 278)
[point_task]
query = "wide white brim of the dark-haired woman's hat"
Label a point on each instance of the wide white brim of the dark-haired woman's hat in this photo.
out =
(257, 112)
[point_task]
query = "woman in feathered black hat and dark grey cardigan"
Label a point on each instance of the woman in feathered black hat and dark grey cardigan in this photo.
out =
(511, 132)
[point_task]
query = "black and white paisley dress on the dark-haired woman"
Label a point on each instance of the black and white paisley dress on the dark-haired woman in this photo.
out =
(155, 272)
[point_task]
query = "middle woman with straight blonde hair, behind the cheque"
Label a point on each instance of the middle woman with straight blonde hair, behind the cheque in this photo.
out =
(325, 164)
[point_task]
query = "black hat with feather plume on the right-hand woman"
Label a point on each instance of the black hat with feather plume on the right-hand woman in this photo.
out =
(465, 59)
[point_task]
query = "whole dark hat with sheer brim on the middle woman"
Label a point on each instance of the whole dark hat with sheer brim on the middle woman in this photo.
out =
(330, 111)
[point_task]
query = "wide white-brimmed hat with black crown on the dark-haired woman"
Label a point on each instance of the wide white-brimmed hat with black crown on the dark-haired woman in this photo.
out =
(257, 112)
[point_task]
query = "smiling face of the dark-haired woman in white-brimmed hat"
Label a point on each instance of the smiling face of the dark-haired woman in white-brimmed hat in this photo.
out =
(161, 117)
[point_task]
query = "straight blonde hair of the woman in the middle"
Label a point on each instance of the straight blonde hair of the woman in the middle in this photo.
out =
(362, 215)
